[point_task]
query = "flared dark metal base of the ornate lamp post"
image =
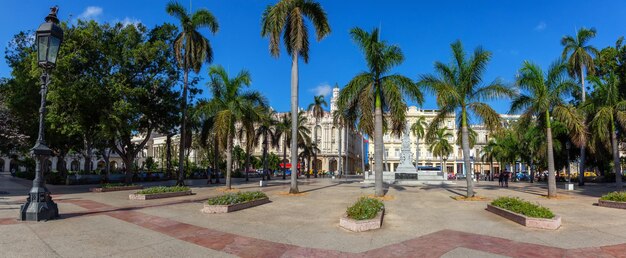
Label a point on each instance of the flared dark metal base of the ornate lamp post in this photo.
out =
(39, 206)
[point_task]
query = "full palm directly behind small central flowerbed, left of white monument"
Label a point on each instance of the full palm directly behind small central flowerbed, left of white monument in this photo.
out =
(377, 91)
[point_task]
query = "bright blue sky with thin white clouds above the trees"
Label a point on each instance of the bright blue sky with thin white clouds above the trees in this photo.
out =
(513, 31)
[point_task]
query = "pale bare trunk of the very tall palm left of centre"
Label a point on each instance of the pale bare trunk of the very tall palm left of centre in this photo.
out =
(294, 122)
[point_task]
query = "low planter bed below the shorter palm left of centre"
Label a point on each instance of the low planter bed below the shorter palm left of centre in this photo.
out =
(234, 201)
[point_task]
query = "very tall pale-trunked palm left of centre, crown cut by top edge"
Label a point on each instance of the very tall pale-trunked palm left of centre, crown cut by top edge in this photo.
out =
(288, 16)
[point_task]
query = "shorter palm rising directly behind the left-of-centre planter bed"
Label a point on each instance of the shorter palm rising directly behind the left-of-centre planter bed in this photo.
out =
(231, 105)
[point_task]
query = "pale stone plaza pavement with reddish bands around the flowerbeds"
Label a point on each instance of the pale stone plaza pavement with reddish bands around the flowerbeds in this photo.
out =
(419, 222)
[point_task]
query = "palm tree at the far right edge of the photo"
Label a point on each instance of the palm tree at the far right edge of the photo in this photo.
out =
(610, 112)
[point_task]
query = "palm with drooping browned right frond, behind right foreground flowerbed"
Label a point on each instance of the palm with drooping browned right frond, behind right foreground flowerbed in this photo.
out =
(543, 100)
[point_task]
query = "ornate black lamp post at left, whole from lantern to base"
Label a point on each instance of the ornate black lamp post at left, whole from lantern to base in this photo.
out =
(39, 204)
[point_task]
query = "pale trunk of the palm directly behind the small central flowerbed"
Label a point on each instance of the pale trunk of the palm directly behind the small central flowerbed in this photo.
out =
(378, 146)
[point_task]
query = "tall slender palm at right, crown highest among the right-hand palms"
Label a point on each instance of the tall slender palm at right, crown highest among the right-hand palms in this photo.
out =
(579, 55)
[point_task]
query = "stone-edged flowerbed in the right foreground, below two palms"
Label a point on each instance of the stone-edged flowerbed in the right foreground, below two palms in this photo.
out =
(525, 213)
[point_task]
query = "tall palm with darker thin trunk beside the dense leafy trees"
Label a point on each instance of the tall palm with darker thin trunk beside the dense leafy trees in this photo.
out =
(192, 50)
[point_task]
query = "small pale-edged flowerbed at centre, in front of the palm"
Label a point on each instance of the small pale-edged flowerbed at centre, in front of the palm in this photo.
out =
(365, 214)
